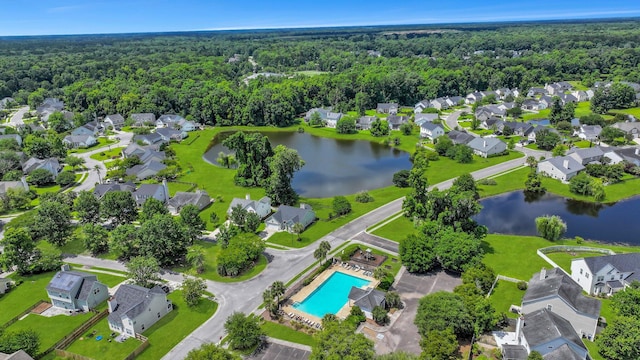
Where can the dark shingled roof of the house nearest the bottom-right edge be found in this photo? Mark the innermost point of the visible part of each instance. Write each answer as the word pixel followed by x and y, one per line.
pixel 543 326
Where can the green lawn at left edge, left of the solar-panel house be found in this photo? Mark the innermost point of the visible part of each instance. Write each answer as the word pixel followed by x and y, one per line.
pixel 24 295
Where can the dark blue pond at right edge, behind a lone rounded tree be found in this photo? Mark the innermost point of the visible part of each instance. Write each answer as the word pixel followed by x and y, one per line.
pixel 513 213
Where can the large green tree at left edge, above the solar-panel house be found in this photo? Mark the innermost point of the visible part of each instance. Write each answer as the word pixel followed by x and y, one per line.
pixel 19 249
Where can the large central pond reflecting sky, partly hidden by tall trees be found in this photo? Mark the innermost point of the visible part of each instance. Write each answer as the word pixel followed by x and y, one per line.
pixel 333 167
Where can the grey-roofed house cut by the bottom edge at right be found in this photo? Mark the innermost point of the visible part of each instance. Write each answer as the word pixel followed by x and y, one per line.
pixel 547 333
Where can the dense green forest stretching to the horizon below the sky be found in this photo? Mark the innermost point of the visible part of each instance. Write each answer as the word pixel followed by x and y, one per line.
pixel 191 74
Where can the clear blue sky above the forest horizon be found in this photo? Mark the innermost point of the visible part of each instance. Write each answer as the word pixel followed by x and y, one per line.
pixel 61 17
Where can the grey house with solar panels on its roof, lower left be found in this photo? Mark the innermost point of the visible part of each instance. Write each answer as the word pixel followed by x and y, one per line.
pixel 75 290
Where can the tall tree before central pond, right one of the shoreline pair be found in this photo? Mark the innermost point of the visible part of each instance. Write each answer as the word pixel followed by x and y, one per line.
pixel 283 165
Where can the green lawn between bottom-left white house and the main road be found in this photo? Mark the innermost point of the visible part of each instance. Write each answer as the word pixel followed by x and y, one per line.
pixel 176 325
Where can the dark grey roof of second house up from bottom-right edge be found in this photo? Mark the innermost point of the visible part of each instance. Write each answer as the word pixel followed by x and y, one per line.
pixel 557 283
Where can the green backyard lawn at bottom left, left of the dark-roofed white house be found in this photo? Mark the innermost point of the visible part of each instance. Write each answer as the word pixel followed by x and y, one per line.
pixel 103 349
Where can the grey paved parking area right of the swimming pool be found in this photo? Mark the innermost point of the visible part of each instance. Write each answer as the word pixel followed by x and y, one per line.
pixel 403 334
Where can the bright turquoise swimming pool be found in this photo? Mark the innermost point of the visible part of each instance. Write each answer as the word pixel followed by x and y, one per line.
pixel 331 295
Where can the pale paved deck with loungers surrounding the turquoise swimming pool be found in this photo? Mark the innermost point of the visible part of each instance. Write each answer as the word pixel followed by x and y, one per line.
pixel 307 290
